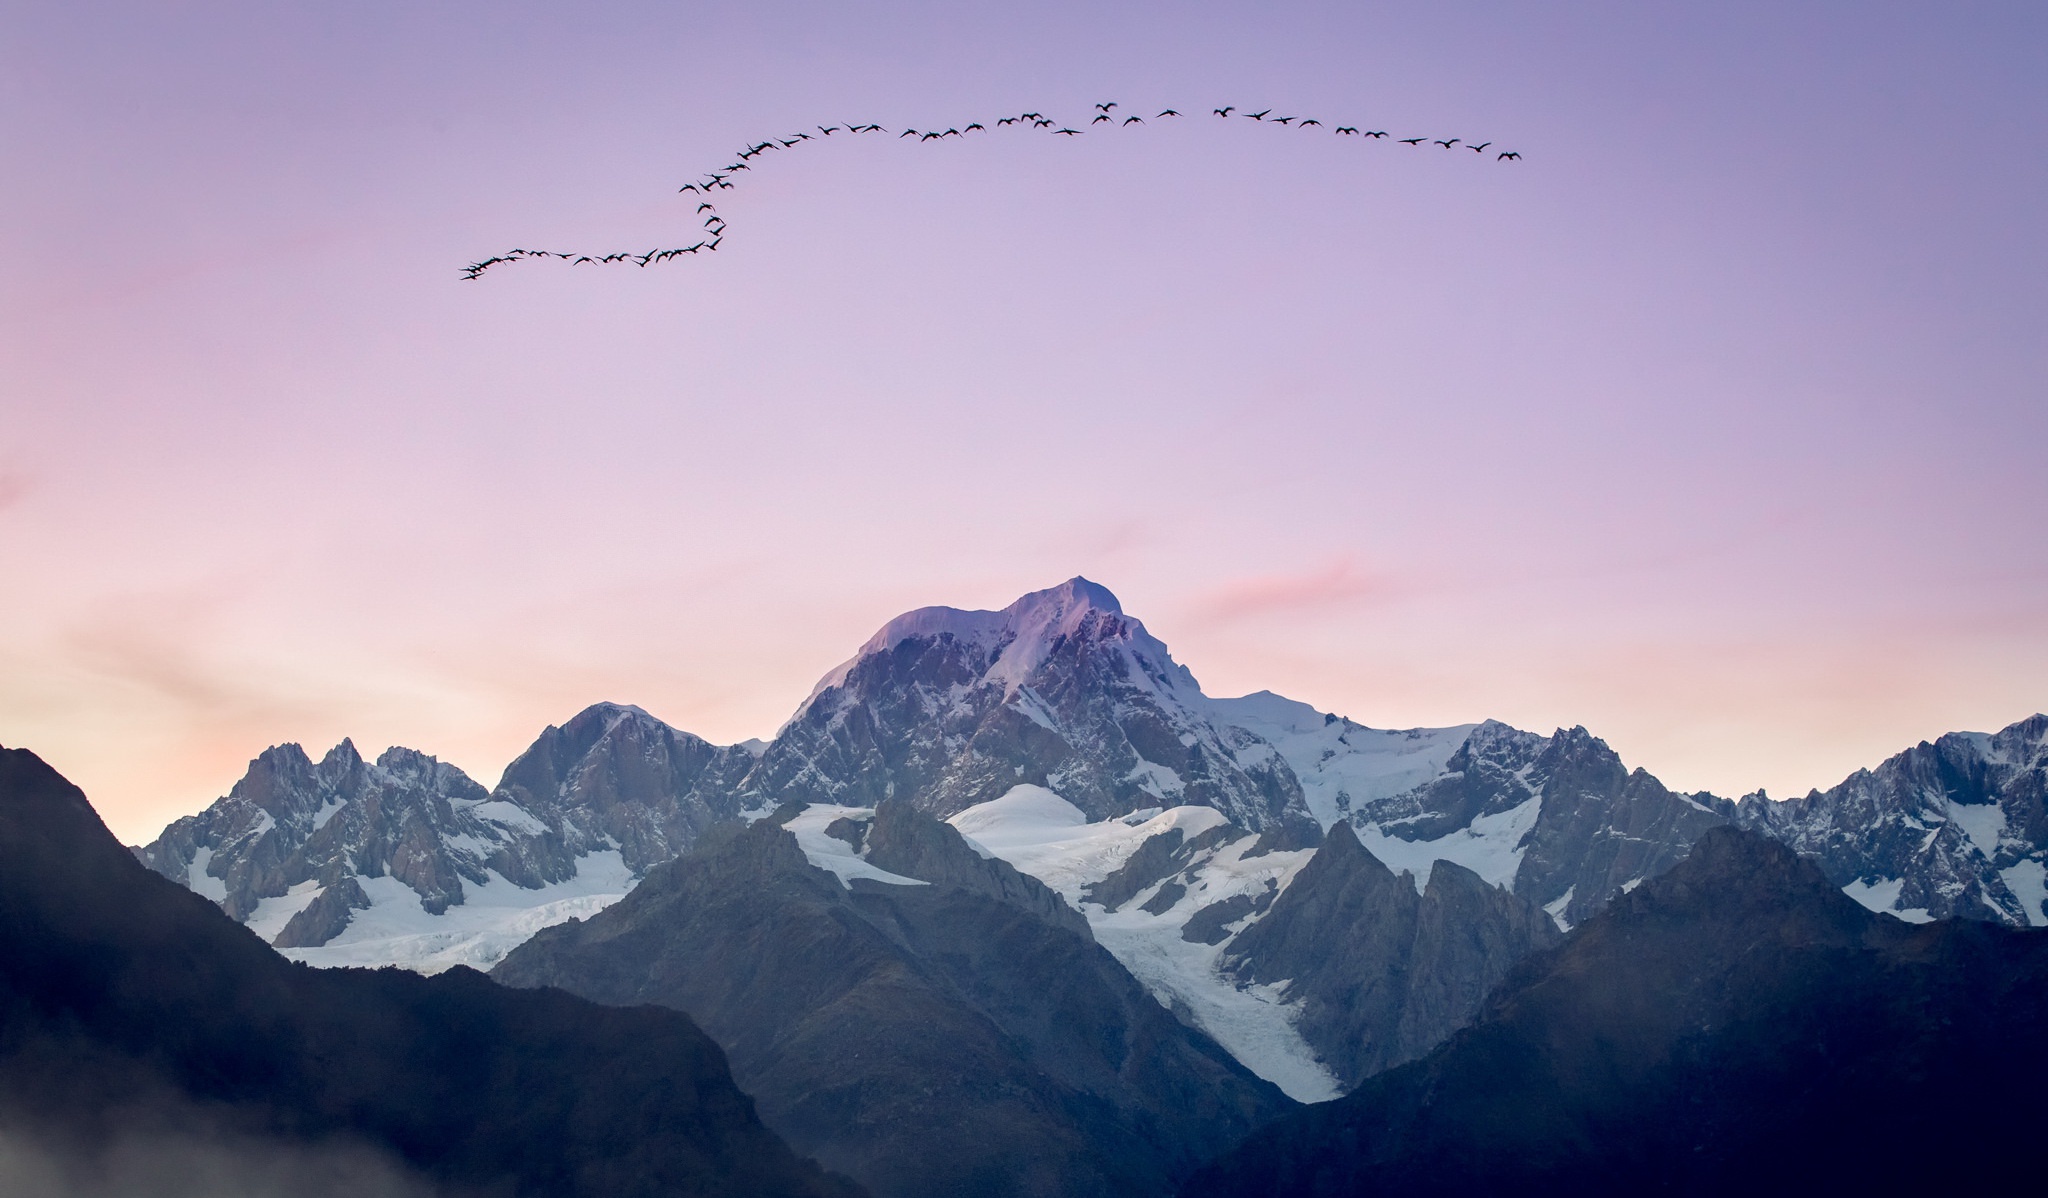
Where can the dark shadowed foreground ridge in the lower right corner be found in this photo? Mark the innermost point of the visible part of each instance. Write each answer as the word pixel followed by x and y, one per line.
pixel 1738 1023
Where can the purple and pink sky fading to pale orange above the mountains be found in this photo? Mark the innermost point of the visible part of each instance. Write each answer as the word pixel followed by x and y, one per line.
pixel 1715 425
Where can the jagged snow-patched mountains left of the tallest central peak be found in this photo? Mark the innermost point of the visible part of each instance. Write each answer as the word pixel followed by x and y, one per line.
pixel 409 861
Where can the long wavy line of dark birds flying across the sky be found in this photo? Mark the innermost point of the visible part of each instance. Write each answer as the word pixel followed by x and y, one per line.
pixel 1107 114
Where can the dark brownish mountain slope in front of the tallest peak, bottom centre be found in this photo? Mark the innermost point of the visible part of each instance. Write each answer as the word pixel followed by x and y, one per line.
pixel 929 1031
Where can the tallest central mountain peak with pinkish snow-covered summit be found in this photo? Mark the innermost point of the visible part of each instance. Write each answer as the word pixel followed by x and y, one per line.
pixel 1062 689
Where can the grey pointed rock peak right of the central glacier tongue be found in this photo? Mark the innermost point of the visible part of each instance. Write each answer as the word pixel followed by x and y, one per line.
pixel 1383 974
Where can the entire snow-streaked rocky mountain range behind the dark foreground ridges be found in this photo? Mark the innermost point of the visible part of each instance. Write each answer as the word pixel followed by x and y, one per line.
pixel 1232 855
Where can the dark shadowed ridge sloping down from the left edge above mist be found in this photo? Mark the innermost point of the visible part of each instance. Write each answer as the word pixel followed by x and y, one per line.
pixel 126 998
